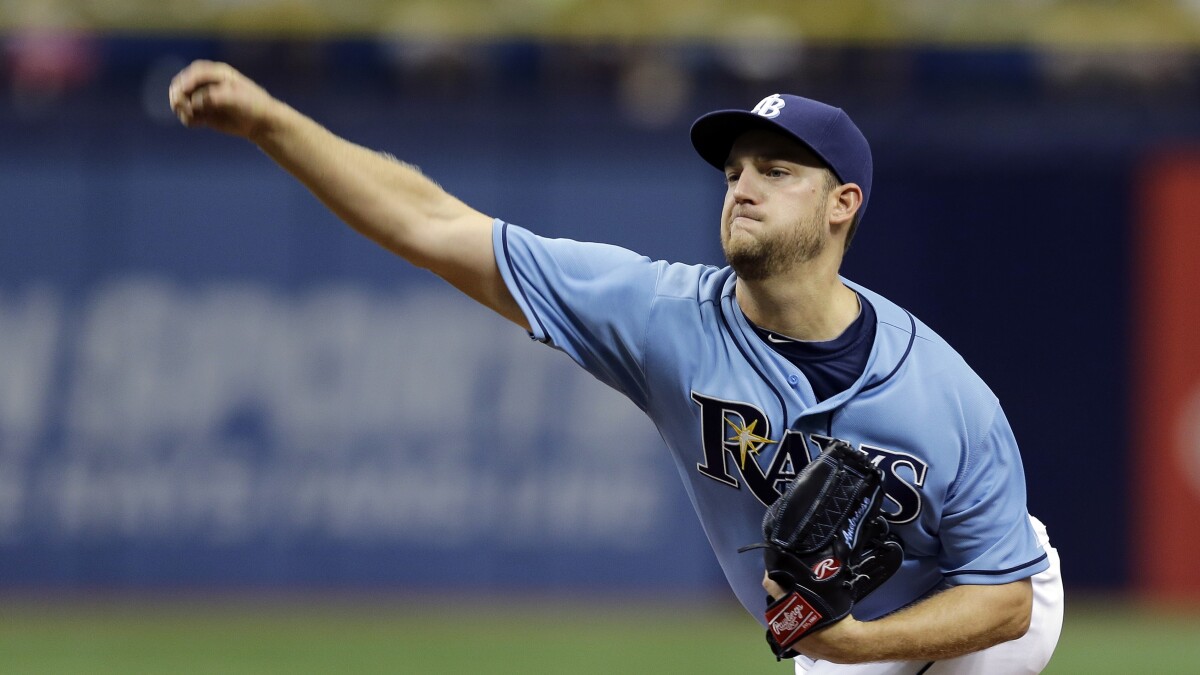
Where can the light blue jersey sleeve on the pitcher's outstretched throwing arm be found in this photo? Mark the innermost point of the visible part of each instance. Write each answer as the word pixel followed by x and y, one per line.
pixel 590 301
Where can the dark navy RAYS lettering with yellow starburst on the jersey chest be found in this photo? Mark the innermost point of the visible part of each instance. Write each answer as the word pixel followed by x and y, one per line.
pixel 735 434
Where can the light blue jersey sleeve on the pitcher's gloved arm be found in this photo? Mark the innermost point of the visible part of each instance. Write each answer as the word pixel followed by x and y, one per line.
pixel 987 535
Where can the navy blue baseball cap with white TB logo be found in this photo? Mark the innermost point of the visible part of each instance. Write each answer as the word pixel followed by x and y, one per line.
pixel 826 130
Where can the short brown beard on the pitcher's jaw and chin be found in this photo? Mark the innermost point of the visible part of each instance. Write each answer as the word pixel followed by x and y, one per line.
pixel 755 259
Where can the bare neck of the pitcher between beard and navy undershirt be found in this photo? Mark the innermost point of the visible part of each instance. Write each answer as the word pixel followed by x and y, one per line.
pixel 809 307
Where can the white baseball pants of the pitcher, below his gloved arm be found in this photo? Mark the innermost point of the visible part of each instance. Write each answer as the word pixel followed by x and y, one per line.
pixel 1025 656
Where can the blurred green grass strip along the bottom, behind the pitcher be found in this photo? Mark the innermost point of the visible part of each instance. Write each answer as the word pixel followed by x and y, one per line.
pixel 315 635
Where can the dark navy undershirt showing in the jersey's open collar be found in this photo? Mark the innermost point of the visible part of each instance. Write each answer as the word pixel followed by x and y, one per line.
pixel 833 366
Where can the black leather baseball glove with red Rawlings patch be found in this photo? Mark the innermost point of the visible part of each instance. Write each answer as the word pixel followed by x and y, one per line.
pixel 827 545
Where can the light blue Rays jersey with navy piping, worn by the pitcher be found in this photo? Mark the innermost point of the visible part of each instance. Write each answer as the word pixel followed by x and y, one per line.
pixel 741 421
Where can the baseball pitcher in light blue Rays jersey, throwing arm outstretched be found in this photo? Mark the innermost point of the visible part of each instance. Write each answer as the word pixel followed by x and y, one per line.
pixel 841 456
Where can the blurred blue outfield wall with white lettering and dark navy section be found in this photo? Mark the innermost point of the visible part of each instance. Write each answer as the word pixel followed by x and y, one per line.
pixel 207 380
